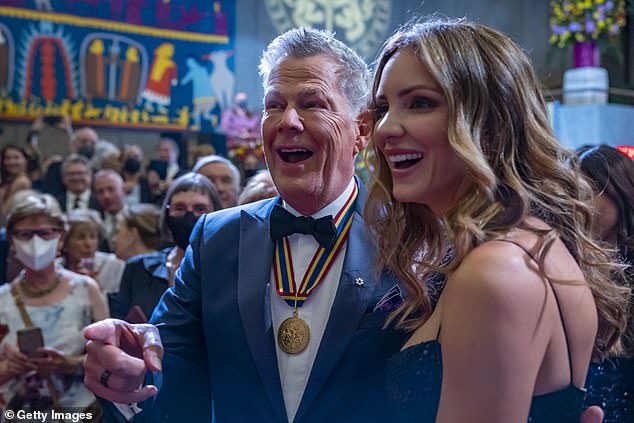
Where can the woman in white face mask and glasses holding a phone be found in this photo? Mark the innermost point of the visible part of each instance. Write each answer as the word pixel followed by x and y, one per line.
pixel 57 301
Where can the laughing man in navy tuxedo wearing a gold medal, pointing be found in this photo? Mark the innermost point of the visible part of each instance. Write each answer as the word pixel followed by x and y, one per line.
pixel 277 326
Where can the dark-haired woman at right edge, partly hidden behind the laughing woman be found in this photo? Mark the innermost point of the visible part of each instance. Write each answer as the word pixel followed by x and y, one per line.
pixel 611 173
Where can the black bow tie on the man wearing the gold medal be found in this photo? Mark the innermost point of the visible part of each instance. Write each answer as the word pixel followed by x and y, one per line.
pixel 284 223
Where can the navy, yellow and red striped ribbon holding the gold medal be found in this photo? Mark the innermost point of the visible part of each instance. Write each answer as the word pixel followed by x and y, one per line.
pixel 320 263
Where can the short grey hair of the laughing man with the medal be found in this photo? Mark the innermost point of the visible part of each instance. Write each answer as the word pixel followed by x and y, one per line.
pixel 307 42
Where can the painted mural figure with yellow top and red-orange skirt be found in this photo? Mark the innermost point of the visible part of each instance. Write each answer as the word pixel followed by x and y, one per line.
pixel 163 74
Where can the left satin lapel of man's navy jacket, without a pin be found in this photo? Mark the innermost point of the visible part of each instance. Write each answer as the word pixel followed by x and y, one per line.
pixel 256 256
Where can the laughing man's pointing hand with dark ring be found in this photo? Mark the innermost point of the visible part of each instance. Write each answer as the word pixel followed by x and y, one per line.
pixel 127 352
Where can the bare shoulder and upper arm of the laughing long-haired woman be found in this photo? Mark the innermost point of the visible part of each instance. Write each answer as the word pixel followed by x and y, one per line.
pixel 493 340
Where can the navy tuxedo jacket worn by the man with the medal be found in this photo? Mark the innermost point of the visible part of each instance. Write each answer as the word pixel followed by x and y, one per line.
pixel 215 324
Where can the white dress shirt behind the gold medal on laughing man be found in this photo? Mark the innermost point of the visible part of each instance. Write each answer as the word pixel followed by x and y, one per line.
pixel 295 368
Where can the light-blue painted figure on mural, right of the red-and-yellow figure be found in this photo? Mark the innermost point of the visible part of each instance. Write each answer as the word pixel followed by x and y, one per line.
pixel 203 96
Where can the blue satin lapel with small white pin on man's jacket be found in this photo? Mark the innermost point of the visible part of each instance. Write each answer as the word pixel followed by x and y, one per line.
pixel 349 307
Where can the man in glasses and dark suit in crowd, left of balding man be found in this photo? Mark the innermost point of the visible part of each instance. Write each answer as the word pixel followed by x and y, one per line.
pixel 77 180
